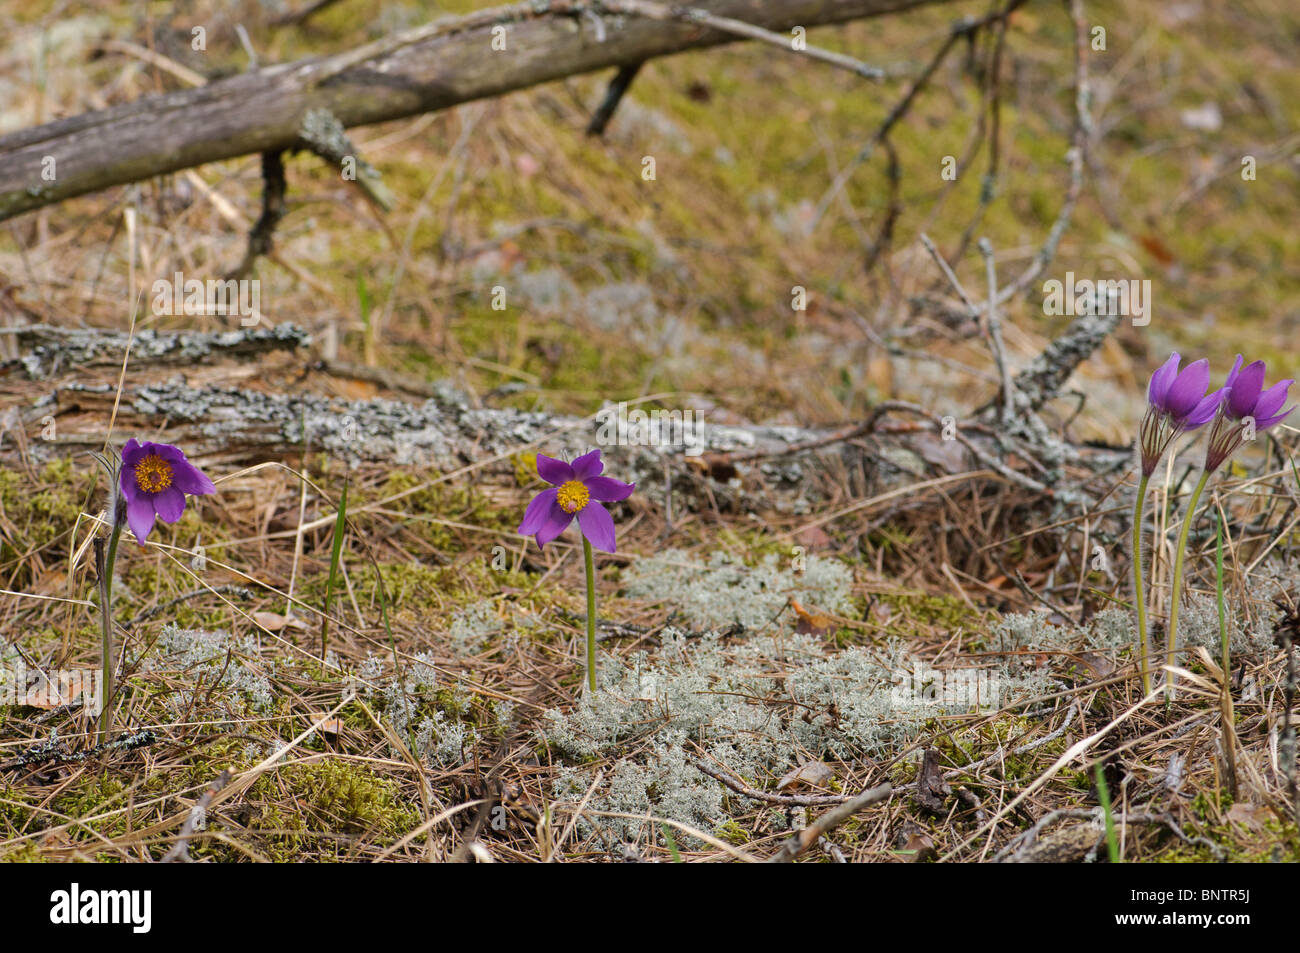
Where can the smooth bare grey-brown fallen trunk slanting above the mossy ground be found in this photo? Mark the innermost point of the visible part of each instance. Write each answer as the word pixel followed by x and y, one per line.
pixel 443 64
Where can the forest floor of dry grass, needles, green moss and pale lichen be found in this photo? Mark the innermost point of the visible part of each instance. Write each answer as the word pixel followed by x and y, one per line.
pixel 969 644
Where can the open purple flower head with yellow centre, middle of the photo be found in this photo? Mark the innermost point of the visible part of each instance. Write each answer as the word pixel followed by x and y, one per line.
pixel 578 490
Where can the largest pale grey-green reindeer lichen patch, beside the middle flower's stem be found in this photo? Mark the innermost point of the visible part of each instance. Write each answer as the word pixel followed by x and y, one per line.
pixel 757 701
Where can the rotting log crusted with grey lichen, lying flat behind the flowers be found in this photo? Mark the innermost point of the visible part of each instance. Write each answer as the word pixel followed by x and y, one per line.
pixel 748 466
